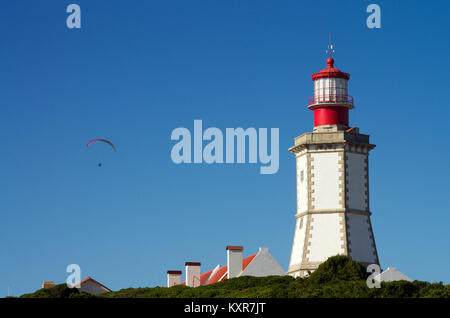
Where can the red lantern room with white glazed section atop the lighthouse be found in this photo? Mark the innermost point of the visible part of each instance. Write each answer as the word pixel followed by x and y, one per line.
pixel 330 102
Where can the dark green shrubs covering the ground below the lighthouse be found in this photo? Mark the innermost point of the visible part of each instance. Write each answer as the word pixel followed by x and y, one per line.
pixel 339 276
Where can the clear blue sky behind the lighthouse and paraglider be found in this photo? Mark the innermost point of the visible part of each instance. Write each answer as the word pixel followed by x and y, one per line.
pixel 137 70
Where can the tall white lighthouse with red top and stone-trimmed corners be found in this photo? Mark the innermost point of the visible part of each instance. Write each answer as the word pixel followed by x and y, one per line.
pixel 332 163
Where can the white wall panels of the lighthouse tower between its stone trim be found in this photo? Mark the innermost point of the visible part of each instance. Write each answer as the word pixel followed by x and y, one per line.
pixel 327 232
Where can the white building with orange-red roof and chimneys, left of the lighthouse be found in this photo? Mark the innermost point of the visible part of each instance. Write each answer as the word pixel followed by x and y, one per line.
pixel 259 264
